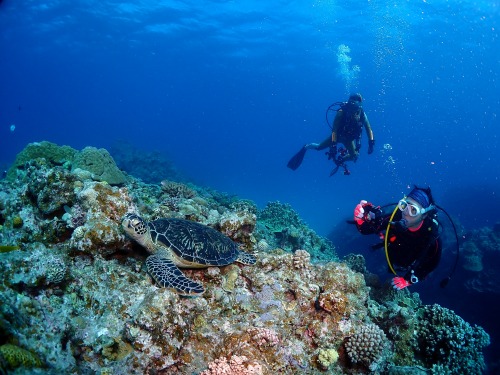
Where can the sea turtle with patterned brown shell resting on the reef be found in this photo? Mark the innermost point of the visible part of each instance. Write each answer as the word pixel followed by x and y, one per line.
pixel 182 243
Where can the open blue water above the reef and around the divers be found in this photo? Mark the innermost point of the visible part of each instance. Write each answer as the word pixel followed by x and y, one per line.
pixel 230 90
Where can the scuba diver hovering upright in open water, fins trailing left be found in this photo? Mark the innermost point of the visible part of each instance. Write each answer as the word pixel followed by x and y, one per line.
pixel 350 118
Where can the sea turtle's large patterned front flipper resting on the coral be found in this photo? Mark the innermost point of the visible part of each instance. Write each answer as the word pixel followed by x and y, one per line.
pixel 167 275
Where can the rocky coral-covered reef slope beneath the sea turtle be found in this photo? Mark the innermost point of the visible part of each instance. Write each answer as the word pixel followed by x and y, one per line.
pixel 75 297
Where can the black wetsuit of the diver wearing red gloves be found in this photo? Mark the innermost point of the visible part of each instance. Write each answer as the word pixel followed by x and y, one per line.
pixel 418 251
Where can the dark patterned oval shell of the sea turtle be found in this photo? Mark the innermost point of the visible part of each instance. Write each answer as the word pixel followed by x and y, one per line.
pixel 194 242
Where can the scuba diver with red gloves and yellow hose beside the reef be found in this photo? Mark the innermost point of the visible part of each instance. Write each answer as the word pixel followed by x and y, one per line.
pixel 411 235
